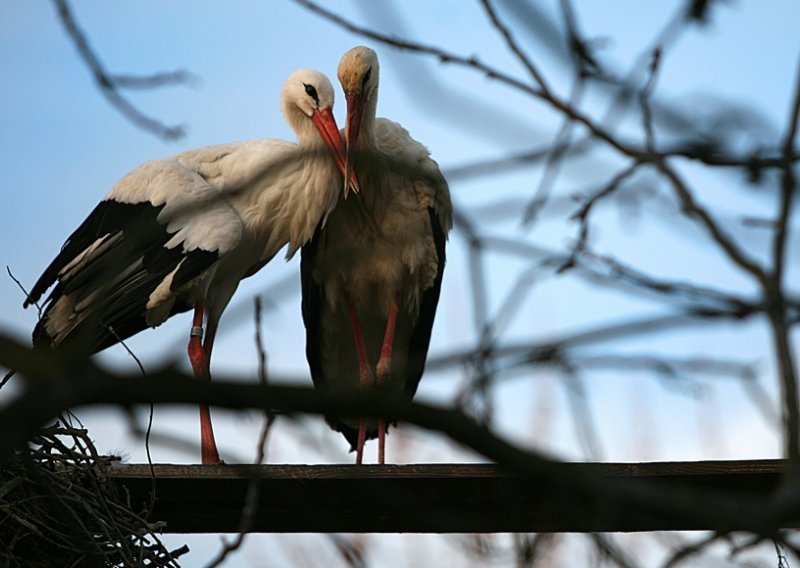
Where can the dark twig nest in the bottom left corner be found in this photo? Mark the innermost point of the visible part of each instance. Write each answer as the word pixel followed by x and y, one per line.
pixel 58 508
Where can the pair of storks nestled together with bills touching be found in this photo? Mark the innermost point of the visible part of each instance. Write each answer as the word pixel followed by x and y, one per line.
pixel 180 233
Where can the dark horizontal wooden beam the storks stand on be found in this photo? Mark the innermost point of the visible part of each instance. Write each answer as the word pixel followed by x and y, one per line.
pixel 440 498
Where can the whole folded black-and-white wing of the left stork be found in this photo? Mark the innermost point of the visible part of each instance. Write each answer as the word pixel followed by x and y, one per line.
pixel 158 232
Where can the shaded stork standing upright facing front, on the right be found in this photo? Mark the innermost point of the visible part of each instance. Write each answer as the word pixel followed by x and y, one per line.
pixel 371 275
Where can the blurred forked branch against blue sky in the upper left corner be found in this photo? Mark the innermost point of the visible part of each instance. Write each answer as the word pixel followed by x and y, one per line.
pixel 109 84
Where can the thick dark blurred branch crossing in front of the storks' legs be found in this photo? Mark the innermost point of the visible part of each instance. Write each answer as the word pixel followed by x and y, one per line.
pixel 71 384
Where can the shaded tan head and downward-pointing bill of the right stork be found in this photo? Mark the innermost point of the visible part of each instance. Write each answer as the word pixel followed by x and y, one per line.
pixel 358 73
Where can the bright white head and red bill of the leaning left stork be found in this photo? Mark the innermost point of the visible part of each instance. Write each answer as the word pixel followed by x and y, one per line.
pixel 308 94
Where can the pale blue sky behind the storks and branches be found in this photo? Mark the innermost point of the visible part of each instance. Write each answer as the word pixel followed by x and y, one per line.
pixel 63 147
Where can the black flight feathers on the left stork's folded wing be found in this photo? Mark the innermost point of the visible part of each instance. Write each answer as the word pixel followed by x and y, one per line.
pixel 119 281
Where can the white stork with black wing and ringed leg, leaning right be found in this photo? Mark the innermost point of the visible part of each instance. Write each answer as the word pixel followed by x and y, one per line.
pixel 180 233
